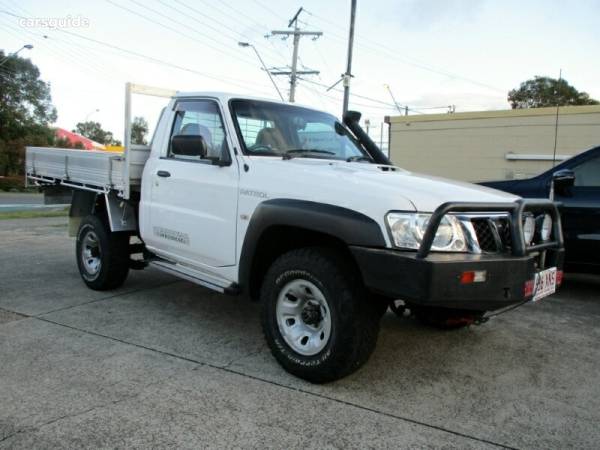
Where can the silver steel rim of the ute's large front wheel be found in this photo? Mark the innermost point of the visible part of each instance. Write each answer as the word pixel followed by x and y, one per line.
pixel 303 317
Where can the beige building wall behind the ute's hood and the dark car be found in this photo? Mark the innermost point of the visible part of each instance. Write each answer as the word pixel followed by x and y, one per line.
pixel 491 145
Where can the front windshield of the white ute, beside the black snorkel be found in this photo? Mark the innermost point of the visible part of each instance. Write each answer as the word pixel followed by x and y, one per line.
pixel 274 129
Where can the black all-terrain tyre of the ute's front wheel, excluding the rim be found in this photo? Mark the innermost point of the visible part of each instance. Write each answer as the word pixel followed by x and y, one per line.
pixel 354 319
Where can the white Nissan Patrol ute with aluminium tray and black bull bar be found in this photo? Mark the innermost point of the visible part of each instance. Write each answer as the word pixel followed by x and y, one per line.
pixel 292 207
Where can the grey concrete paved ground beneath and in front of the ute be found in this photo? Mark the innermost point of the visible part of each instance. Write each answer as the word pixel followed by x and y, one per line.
pixel 164 363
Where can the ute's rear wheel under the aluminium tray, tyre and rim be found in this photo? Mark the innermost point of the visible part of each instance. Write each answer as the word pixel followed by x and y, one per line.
pixel 102 256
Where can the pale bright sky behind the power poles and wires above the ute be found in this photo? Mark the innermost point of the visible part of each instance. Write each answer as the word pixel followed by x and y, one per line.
pixel 431 53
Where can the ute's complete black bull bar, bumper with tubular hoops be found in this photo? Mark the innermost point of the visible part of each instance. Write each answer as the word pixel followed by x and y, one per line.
pixel 435 279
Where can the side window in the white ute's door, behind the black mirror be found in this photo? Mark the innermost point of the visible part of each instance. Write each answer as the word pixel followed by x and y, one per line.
pixel 198 118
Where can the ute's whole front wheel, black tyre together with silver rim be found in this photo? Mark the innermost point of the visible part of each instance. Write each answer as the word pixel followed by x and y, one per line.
pixel 316 316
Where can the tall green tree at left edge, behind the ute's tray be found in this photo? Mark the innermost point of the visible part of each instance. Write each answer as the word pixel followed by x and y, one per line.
pixel 26 112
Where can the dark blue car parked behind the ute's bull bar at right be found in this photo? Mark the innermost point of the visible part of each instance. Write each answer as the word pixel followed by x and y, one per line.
pixel 576 184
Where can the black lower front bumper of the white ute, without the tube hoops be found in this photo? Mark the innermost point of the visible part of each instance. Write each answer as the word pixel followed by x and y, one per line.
pixel 436 280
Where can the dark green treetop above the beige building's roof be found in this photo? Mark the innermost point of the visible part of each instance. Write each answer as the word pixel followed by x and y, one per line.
pixel 542 92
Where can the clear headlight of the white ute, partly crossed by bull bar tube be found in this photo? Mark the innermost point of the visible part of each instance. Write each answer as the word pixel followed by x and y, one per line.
pixel 407 231
